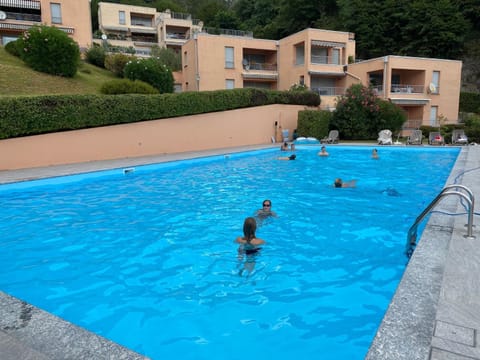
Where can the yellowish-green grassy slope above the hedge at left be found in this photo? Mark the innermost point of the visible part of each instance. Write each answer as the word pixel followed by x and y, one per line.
pixel 18 79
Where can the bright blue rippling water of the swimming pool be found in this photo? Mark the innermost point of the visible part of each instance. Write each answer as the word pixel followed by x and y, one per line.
pixel 147 258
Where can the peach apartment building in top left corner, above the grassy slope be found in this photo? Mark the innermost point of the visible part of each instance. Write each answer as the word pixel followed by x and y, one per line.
pixel 73 17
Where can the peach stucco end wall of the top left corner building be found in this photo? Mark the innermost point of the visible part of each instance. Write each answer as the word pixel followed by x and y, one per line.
pixel 76 15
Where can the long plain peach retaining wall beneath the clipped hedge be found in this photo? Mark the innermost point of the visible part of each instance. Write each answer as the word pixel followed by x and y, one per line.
pixel 242 127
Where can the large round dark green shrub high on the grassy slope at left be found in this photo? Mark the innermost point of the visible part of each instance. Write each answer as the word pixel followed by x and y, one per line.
pixel 49 50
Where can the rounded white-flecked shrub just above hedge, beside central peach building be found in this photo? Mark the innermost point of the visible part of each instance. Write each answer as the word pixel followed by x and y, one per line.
pixel 151 71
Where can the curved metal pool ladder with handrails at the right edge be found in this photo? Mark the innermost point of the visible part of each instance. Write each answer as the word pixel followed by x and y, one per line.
pixel 468 197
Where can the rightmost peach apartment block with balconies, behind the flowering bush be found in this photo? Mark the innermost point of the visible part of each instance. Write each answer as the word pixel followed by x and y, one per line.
pixel 428 90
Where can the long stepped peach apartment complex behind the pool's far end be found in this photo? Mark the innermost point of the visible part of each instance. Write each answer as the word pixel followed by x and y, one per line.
pixel 324 61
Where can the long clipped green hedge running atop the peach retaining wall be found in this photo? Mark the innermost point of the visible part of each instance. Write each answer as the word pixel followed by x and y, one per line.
pixel 22 116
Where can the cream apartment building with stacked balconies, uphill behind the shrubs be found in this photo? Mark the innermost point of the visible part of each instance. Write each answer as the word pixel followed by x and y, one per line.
pixel 140 28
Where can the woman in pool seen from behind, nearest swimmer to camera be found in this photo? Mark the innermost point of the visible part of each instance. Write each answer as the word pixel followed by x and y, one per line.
pixel 249 245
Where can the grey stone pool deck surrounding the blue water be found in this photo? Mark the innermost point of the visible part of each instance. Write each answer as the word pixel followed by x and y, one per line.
pixel 434 314
